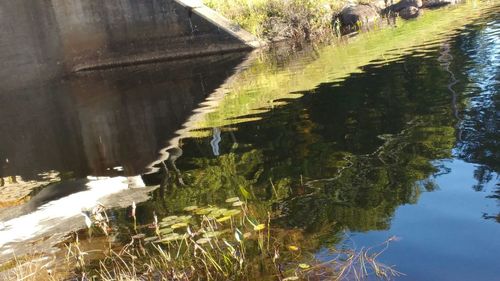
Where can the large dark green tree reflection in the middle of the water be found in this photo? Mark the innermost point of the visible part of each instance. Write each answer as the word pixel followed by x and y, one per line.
pixel 339 157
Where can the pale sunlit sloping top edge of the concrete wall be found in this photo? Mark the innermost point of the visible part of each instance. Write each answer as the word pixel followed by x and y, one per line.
pixel 223 23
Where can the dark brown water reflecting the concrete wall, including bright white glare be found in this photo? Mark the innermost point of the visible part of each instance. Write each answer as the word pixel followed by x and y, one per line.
pixel 110 125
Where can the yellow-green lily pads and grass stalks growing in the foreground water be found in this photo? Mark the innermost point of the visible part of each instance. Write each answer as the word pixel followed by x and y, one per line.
pixel 220 243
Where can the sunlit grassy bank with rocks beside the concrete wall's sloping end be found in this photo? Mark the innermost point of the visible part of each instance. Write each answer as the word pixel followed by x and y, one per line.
pixel 315 20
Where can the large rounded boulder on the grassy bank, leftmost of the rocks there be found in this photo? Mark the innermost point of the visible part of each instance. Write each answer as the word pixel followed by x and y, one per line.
pixel 362 14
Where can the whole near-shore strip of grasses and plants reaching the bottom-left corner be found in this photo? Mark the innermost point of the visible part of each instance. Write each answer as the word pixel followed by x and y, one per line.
pixel 233 242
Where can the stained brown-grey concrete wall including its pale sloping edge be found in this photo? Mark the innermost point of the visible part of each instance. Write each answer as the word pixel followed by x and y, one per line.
pixel 43 37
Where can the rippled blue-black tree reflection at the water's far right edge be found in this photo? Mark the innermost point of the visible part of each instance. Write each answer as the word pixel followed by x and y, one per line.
pixel 481 131
